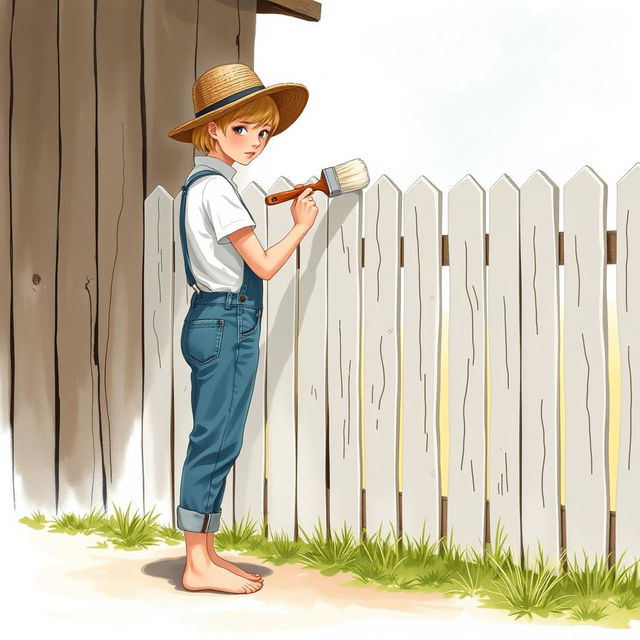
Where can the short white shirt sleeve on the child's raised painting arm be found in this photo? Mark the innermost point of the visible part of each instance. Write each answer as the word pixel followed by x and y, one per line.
pixel 224 208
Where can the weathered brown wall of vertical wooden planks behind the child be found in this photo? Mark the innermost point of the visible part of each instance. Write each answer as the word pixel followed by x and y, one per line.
pixel 89 92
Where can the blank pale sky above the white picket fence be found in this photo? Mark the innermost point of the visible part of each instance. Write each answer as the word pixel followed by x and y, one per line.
pixel 450 87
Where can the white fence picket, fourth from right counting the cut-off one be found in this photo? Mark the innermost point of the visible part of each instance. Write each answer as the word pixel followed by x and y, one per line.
pixel 503 326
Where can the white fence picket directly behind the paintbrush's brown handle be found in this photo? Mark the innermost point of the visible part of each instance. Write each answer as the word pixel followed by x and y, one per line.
pixel 281 385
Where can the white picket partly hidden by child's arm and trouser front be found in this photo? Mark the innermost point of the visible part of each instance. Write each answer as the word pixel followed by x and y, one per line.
pixel 249 467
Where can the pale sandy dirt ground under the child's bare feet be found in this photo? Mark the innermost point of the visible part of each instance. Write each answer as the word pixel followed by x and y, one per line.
pixel 60 582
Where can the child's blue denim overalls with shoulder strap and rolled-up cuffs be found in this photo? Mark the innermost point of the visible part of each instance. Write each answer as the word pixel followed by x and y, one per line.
pixel 220 342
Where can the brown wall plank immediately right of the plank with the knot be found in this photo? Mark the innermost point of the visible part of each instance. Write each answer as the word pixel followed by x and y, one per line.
pixel 81 462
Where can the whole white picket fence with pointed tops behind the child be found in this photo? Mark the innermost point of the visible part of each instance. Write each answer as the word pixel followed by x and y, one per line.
pixel 327 397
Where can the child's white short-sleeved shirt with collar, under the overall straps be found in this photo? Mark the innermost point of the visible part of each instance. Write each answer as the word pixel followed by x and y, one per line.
pixel 214 210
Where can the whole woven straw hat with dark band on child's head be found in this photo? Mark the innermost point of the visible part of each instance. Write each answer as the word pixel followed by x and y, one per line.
pixel 228 86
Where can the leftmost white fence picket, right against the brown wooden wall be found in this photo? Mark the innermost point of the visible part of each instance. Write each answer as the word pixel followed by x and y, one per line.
pixel 158 353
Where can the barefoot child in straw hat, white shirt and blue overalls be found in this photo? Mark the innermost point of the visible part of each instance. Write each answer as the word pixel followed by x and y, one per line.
pixel 235 116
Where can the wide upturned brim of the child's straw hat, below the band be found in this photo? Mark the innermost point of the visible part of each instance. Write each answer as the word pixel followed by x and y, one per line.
pixel 289 97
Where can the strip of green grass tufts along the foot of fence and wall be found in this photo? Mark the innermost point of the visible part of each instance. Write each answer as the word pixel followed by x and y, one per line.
pixel 588 592
